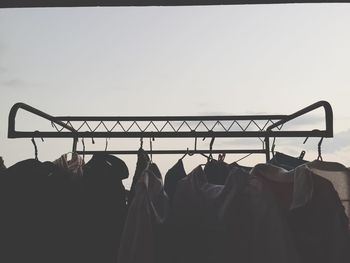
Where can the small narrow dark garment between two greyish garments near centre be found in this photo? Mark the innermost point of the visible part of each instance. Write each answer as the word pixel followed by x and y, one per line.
pixel 174 174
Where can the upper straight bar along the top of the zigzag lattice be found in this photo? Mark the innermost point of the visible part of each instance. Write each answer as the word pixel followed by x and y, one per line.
pixel 171 118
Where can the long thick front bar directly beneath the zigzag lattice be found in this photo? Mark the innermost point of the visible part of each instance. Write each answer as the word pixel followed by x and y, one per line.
pixel 192 134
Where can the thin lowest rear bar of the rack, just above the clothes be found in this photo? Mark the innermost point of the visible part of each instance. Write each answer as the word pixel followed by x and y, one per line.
pixel 243 151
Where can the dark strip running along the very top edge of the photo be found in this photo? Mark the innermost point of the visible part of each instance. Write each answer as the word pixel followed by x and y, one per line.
pixel 82 3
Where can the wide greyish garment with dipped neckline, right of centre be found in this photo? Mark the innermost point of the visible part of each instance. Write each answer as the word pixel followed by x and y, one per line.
pixel 235 222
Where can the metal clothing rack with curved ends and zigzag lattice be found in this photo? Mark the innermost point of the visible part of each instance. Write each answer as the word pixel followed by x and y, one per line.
pixel 263 127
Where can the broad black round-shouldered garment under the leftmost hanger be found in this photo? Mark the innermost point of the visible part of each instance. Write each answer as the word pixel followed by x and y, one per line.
pixel 35 222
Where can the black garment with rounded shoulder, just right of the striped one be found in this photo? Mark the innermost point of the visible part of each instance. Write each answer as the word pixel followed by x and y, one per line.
pixel 104 207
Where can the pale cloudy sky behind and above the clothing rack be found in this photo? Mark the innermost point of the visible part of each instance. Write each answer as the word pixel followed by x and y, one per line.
pixel 231 60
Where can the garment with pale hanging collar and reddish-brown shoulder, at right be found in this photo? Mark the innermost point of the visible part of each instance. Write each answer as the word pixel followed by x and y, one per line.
pixel 314 212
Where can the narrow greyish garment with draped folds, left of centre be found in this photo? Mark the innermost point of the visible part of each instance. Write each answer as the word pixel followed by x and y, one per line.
pixel 143 238
